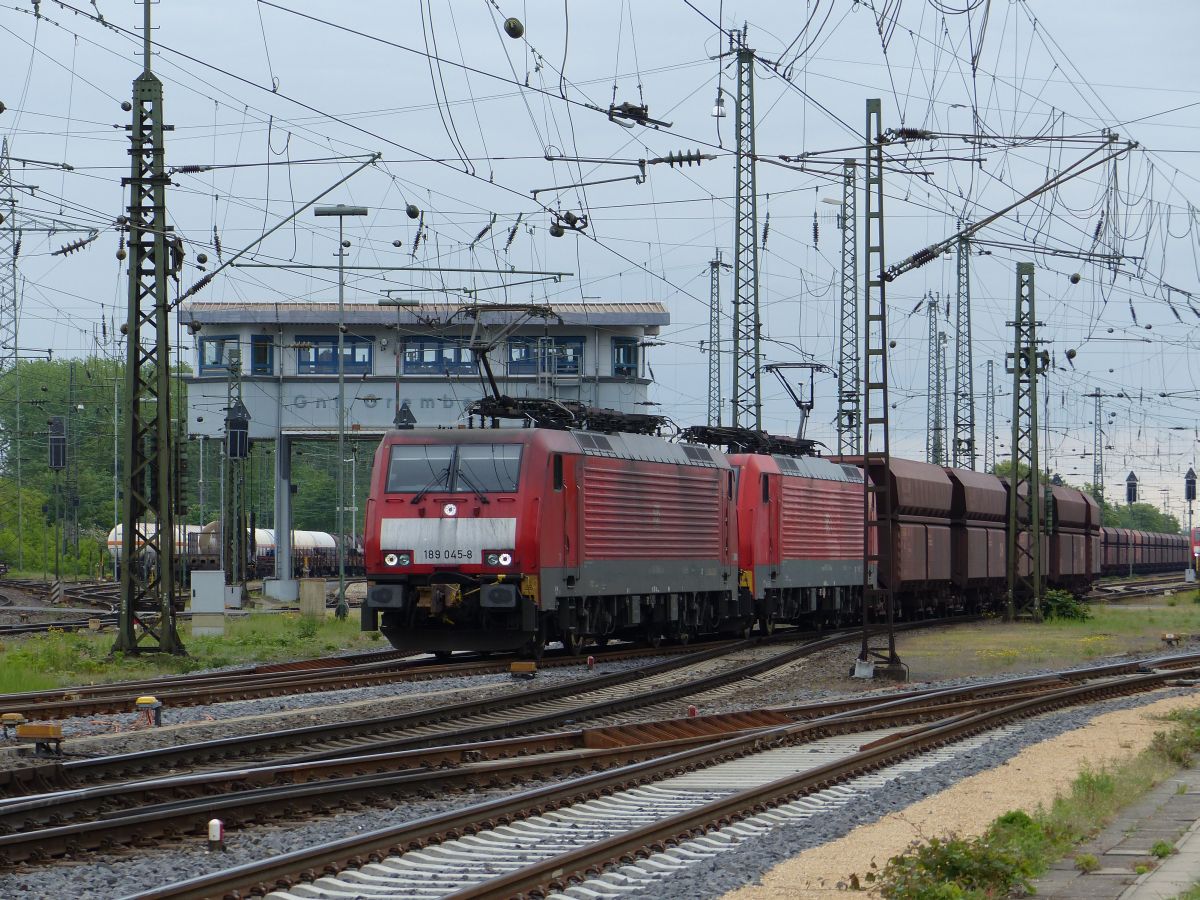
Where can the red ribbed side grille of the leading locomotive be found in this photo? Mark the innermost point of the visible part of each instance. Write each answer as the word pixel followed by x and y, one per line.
pixel 632 514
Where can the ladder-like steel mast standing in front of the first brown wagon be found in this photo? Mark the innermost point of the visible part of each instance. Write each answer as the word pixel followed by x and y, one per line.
pixel 878 599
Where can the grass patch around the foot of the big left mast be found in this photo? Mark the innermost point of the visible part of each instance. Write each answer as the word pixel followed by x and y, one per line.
pixel 59 659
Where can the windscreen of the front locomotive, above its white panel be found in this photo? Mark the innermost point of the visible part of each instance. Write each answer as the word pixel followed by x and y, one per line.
pixel 465 469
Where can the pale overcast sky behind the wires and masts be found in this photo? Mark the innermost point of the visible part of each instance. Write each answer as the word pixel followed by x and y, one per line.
pixel 250 83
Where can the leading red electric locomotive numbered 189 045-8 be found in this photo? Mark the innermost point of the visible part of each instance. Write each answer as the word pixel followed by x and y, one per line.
pixel 508 538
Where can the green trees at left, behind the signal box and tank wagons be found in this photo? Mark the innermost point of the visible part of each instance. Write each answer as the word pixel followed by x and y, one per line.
pixel 73 511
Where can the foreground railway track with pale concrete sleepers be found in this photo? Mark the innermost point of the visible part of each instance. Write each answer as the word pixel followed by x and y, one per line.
pixel 700 797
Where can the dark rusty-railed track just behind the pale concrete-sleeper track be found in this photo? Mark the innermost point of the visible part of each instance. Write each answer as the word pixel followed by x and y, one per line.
pixel 75 821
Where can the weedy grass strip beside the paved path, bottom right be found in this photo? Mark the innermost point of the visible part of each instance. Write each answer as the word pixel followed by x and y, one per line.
pixel 1018 847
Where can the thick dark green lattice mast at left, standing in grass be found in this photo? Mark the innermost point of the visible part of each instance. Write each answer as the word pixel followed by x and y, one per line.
pixel 148 545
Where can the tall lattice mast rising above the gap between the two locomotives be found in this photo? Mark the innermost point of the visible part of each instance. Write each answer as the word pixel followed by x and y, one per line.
pixel 747 326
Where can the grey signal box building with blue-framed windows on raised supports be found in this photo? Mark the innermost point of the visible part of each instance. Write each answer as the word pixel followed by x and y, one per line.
pixel 404 365
